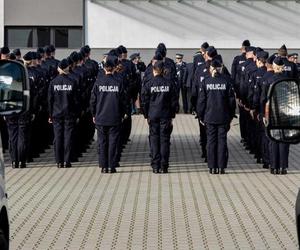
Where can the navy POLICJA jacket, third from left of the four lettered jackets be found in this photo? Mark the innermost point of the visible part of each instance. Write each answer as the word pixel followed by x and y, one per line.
pixel 159 99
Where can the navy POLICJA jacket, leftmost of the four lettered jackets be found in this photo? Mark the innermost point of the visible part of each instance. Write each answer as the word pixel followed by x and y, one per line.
pixel 63 97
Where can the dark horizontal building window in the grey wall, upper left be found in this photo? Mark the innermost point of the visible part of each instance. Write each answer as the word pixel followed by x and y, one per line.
pixel 33 37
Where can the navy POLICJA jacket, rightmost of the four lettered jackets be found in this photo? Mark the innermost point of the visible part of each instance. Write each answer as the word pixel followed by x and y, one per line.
pixel 216 100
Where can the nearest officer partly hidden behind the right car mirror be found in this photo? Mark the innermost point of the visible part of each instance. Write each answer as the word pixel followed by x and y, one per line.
pixel 279 152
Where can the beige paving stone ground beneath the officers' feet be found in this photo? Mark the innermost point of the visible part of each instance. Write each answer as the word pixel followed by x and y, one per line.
pixel 80 208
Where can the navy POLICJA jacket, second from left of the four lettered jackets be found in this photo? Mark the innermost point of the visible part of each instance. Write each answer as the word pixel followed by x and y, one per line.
pixel 108 101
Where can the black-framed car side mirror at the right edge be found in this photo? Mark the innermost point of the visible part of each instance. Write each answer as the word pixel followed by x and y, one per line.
pixel 283 111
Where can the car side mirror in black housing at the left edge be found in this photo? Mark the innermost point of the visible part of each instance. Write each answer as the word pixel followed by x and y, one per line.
pixel 14 88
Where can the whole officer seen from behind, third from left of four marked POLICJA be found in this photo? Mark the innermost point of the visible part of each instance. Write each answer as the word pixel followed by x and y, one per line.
pixel 159 101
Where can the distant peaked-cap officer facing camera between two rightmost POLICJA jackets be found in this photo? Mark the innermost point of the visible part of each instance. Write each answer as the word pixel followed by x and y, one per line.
pixel 182 78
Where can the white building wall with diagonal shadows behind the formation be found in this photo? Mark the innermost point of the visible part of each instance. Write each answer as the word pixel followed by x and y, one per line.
pixel 186 24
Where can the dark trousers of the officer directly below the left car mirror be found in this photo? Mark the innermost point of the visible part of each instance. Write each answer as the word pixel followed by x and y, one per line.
pixel 19 133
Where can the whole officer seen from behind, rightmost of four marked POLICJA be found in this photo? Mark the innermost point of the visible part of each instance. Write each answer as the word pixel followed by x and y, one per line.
pixel 216 109
